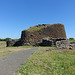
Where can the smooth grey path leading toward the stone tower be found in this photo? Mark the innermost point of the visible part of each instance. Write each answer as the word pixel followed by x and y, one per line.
pixel 11 63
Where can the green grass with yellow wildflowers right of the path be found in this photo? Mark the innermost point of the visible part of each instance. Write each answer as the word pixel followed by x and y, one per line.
pixel 52 62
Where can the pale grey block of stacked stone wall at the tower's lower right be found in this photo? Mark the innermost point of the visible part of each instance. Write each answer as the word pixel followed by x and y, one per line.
pixel 63 44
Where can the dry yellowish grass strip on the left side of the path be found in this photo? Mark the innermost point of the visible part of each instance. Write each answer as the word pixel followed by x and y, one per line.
pixel 6 50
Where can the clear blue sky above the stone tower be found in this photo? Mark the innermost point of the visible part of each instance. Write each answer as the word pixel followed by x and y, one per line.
pixel 17 15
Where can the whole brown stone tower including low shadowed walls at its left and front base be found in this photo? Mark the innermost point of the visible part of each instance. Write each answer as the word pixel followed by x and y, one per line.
pixel 36 35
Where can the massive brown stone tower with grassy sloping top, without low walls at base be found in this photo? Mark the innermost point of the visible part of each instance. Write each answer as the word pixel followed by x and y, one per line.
pixel 32 36
